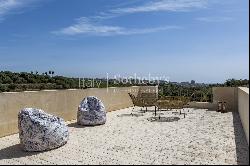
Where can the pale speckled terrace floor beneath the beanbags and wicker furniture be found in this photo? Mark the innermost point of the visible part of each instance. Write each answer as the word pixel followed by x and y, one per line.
pixel 203 137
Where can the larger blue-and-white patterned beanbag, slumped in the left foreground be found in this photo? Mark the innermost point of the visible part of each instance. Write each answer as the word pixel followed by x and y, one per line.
pixel 39 131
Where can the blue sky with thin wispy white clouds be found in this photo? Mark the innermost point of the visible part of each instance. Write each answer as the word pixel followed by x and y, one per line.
pixel 182 40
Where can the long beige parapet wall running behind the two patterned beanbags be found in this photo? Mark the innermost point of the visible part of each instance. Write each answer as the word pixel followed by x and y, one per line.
pixel 63 103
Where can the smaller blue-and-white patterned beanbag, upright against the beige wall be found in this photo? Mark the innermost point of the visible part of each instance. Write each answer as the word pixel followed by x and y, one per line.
pixel 91 112
